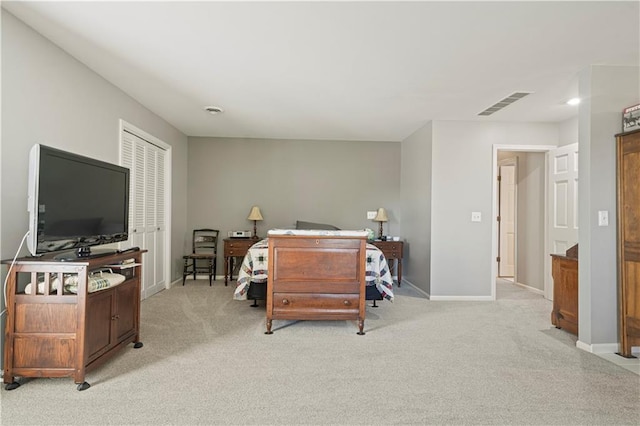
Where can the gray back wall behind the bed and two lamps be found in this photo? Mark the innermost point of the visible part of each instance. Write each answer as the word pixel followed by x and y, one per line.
pixel 332 182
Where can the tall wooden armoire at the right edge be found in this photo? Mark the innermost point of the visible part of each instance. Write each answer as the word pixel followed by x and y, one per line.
pixel 628 177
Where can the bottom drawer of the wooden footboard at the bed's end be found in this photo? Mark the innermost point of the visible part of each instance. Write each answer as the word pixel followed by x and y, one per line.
pixel 301 305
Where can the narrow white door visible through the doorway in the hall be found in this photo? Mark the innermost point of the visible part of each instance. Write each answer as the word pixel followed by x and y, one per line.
pixel 507 218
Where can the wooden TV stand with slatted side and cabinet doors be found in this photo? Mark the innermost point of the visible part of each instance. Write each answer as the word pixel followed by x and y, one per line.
pixel 55 333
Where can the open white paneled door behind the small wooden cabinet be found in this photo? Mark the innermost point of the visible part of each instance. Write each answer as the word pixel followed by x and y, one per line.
pixel 562 203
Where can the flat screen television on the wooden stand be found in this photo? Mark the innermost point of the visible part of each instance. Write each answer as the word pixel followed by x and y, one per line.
pixel 75 203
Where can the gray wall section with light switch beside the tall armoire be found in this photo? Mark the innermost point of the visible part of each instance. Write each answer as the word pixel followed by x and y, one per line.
pixel 606 91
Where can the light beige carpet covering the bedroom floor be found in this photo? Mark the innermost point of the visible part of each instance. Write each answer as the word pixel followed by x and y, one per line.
pixel 206 360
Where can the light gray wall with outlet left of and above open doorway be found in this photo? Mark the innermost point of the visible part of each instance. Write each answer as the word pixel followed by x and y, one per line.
pixel 461 258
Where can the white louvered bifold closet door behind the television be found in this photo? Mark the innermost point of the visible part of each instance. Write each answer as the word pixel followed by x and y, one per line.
pixel 147 225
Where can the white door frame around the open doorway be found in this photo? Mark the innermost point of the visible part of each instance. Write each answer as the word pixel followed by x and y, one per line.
pixel 494 207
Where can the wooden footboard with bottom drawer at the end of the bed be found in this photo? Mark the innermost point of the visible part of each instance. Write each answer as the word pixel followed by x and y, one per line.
pixel 317 277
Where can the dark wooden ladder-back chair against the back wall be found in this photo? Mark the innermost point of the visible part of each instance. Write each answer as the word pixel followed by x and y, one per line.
pixel 204 250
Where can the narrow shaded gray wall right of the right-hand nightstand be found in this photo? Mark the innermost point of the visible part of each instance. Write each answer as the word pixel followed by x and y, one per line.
pixel 416 207
